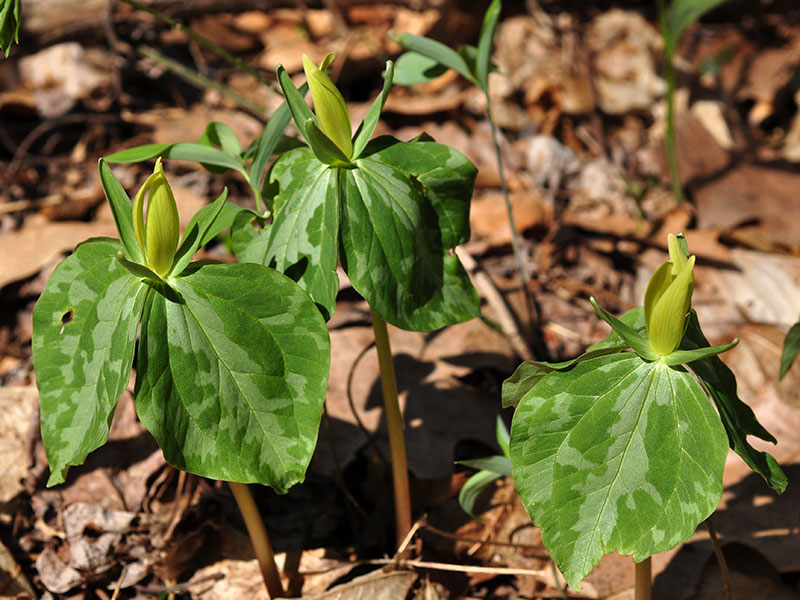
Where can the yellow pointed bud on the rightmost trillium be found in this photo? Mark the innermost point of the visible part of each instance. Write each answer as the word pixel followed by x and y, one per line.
pixel 668 298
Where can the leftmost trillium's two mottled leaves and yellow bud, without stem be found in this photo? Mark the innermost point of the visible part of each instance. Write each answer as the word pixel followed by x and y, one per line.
pixel 232 362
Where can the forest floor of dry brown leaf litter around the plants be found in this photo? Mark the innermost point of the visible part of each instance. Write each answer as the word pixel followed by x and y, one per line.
pixel 579 98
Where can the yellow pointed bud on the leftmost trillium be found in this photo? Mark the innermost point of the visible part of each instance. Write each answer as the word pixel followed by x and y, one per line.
pixel 158 231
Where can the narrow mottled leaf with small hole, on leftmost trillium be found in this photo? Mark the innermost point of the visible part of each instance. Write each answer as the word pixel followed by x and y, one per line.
pixel 84 337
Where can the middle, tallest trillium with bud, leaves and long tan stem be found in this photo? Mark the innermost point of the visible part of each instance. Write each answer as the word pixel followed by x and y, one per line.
pixel 389 212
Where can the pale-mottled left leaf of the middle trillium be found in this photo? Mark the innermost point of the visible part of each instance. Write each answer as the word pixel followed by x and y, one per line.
pixel 302 241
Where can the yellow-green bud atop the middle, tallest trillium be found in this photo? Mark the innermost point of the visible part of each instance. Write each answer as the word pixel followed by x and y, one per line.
pixel 333 118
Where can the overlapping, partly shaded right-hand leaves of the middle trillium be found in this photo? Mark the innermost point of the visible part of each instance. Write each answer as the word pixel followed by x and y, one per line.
pixel 404 207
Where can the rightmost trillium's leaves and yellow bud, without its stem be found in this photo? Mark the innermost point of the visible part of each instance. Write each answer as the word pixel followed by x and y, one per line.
pixel 621 448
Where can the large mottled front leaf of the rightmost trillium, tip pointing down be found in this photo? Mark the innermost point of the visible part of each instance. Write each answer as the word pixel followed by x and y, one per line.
pixel 616 454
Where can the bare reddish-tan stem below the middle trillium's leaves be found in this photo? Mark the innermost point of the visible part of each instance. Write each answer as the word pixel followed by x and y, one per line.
pixel 394 423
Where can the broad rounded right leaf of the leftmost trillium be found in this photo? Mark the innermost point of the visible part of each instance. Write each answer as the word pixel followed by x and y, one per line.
pixel 232 377
